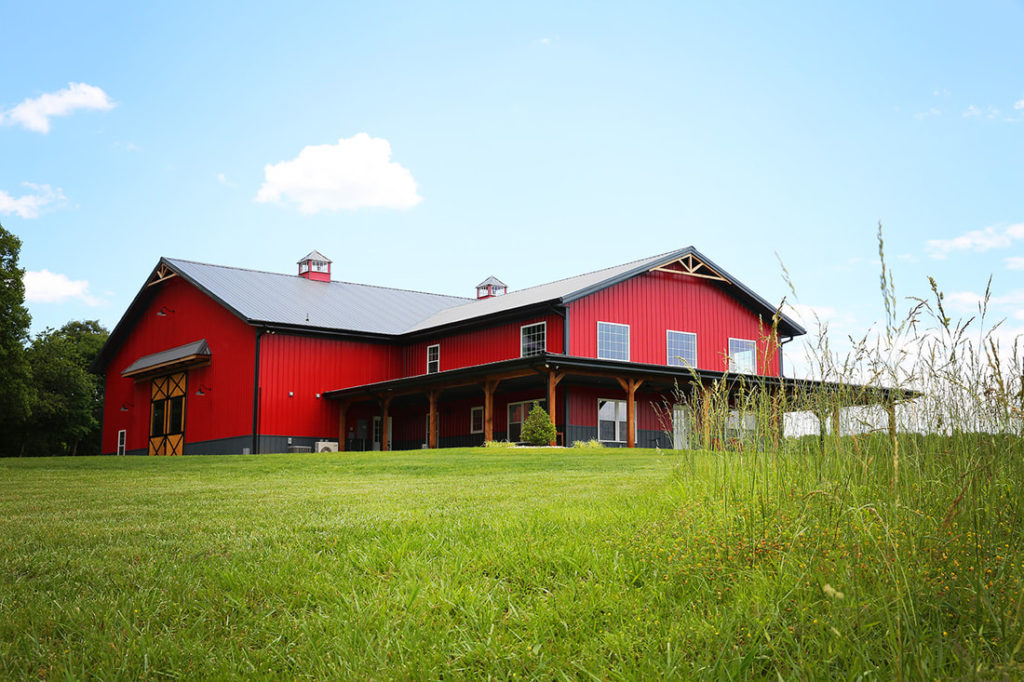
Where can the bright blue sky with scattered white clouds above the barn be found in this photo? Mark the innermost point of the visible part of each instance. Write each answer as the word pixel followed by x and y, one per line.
pixel 429 146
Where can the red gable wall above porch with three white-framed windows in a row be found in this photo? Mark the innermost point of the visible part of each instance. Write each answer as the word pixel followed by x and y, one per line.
pixel 655 303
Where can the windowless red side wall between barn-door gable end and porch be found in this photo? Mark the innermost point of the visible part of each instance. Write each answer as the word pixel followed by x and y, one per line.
pixel 307 366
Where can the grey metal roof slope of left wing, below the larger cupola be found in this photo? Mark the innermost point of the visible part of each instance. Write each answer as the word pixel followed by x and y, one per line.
pixel 297 303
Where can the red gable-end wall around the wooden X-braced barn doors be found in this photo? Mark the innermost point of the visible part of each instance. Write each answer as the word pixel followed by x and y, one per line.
pixel 190 316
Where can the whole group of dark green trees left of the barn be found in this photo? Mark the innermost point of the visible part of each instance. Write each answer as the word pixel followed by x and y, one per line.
pixel 51 403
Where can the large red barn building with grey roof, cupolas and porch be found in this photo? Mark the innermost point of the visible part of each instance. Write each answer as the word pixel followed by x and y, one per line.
pixel 216 360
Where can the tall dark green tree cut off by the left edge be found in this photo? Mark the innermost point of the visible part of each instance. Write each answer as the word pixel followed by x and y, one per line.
pixel 16 379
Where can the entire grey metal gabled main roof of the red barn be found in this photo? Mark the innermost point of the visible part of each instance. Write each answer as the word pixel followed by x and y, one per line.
pixel 274 300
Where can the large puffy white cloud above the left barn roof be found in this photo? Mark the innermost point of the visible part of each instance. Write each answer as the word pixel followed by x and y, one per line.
pixel 357 173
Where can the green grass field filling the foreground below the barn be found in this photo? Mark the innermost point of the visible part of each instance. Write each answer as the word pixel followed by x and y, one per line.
pixel 470 564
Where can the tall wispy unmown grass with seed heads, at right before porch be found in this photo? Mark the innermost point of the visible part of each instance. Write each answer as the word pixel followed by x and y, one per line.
pixel 903 515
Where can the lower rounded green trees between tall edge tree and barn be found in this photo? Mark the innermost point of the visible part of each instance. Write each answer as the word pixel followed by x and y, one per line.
pixel 68 409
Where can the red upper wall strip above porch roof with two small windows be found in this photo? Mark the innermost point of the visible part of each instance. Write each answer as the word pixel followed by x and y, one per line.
pixel 480 347
